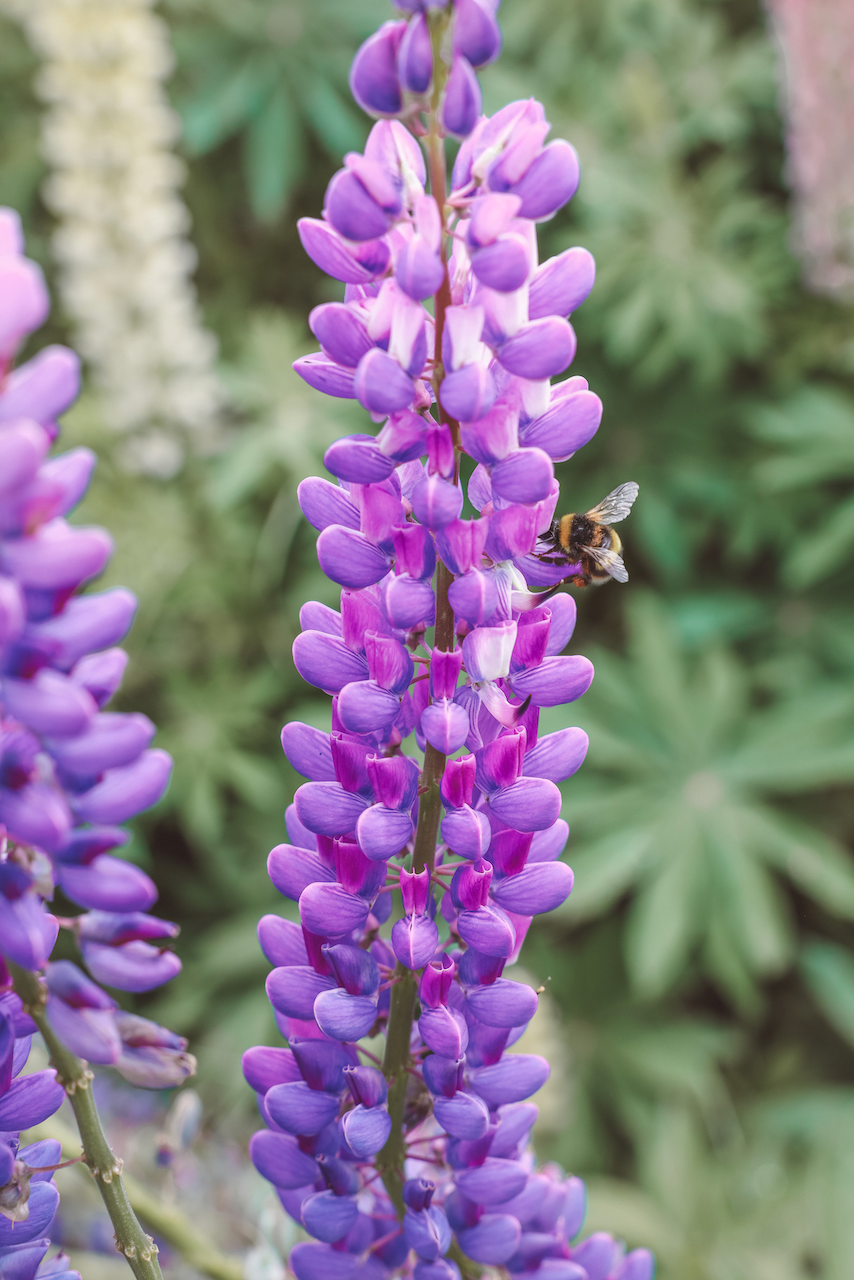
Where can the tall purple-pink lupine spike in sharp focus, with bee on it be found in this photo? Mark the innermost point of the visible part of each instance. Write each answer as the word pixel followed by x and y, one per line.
pixel 432 733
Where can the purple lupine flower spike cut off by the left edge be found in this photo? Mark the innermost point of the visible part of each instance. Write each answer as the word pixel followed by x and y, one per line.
pixel 70 775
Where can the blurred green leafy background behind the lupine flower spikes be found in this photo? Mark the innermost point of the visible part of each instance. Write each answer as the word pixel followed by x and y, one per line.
pixel 704 967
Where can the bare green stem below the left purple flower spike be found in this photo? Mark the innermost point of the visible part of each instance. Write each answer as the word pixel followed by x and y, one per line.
pixel 74 1075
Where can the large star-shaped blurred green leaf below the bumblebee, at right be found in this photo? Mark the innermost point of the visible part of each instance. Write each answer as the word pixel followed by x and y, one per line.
pixel 672 808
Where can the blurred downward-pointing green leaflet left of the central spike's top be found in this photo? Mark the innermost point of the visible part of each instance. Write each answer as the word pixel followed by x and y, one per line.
pixel 276 156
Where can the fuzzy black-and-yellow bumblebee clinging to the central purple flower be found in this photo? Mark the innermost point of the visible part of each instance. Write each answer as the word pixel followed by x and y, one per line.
pixel 588 541
